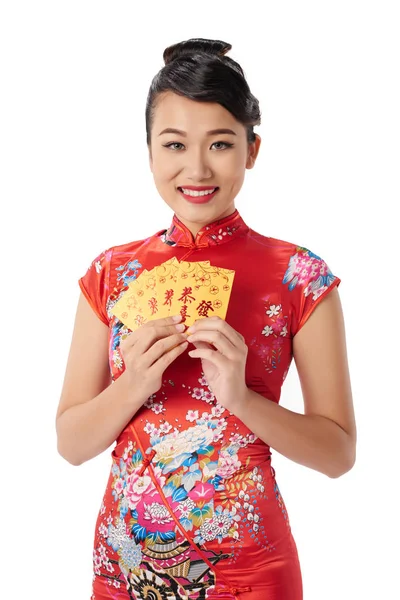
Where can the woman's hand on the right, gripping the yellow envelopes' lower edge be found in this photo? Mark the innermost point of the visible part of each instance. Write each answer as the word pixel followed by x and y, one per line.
pixel 224 365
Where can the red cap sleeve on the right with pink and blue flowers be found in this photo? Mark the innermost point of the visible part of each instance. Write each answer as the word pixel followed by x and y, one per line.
pixel 308 279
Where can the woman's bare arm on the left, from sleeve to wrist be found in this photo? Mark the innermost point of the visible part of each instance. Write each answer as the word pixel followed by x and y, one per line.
pixel 92 411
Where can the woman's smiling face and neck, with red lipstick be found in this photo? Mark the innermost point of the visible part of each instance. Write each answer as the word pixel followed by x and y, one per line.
pixel 198 145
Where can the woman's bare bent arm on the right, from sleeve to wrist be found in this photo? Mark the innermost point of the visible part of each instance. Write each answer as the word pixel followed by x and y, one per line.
pixel 324 437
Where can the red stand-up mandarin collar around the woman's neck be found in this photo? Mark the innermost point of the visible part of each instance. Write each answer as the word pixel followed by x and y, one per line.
pixel 214 234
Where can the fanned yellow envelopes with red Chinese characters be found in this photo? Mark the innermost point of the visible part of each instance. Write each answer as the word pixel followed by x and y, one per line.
pixel 193 289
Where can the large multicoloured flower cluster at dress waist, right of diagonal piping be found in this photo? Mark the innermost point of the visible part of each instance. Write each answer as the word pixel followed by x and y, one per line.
pixel 206 483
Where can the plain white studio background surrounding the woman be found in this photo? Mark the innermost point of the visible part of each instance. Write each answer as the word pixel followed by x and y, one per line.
pixel 74 181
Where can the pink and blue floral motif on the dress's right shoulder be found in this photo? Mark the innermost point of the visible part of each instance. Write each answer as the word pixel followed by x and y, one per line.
pixel 305 267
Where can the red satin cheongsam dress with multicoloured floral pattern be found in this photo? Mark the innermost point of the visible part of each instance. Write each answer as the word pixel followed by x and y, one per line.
pixel 192 509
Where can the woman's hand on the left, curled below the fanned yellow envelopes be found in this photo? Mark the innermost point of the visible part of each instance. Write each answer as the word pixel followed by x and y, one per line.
pixel 149 350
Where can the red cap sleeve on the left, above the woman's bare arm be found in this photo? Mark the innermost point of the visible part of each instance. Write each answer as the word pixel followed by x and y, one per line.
pixel 95 284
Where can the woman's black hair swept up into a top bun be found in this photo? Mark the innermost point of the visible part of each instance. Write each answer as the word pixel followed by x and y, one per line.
pixel 198 69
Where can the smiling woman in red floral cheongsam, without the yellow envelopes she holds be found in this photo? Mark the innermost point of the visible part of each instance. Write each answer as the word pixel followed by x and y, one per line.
pixel 192 508
